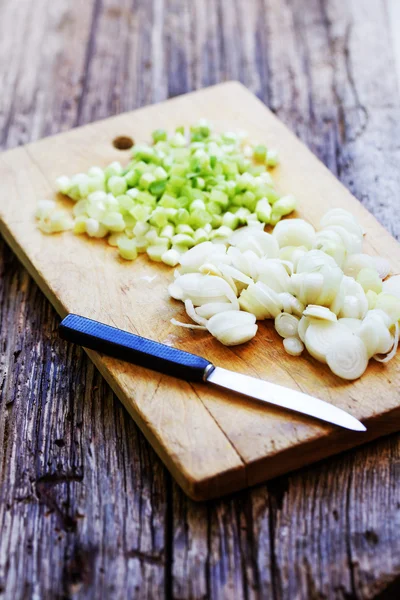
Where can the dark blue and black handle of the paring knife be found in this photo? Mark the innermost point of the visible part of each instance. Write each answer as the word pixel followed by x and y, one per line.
pixel 133 348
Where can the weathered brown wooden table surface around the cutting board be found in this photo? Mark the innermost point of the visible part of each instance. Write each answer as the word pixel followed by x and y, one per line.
pixel 87 510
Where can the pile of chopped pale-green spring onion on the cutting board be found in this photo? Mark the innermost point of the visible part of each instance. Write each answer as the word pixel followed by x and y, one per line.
pixel 173 195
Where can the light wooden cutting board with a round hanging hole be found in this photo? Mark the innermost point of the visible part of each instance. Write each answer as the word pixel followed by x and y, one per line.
pixel 212 442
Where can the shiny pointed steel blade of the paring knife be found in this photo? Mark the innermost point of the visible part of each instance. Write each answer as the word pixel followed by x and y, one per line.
pixel 283 397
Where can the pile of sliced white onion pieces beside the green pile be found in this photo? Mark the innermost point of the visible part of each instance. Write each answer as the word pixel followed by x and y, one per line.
pixel 323 293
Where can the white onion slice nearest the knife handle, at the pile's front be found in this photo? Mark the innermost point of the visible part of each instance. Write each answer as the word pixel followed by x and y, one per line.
pixel 233 327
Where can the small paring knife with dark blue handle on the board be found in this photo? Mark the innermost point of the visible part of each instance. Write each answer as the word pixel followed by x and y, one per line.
pixel 177 363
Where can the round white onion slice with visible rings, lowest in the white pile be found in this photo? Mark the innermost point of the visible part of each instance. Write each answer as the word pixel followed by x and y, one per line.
pixel 347 357
